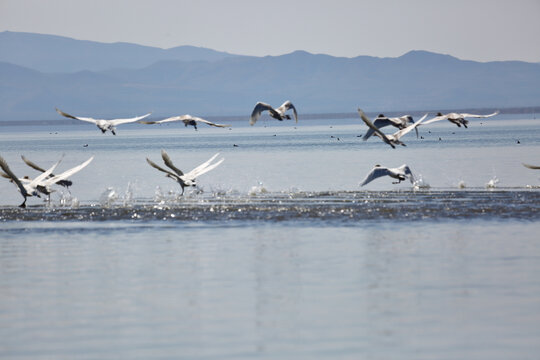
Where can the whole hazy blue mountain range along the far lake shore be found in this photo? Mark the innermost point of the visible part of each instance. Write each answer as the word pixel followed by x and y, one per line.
pixel 41 72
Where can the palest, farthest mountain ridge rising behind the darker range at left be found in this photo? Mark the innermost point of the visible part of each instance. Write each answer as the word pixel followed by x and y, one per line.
pixel 51 53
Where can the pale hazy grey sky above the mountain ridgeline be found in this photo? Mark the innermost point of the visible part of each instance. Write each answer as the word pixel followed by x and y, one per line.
pixel 482 30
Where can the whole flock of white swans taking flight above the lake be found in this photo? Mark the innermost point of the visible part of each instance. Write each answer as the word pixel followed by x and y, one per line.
pixel 42 184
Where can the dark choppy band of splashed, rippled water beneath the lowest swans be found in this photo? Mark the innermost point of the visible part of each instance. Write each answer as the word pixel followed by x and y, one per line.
pixel 309 206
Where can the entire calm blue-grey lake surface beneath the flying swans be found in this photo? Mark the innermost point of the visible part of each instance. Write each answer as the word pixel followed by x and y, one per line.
pixel 279 253
